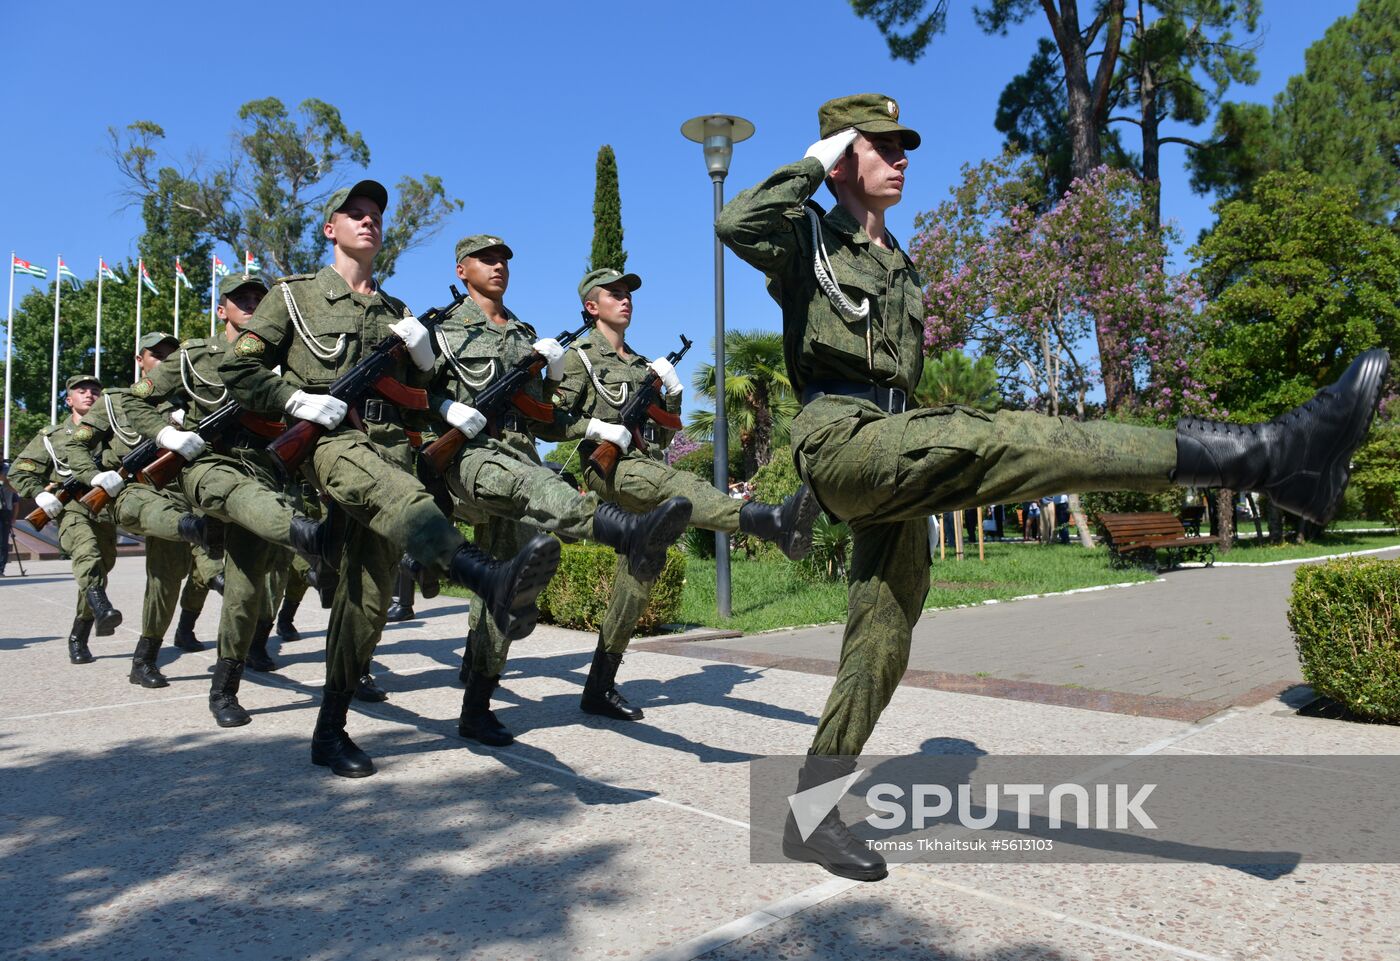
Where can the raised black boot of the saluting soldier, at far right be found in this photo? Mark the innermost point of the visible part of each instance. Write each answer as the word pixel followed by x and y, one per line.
pixel 1303 459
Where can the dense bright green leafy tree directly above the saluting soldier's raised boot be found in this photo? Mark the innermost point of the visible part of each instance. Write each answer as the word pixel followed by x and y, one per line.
pixel 1300 285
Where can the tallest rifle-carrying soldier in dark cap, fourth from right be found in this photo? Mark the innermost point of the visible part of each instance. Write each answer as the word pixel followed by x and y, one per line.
pixel 318 327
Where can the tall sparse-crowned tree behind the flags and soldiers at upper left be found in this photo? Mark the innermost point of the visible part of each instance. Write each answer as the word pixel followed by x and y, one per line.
pixel 268 197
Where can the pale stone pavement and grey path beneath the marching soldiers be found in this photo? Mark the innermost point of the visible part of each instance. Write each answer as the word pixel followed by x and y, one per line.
pixel 134 829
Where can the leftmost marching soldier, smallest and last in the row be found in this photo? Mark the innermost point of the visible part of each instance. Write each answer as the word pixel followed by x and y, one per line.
pixel 90 540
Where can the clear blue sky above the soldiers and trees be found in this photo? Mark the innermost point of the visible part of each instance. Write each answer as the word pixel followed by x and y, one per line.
pixel 509 104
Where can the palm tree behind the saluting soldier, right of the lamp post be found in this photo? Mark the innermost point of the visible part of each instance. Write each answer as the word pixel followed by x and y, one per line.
pixel 758 397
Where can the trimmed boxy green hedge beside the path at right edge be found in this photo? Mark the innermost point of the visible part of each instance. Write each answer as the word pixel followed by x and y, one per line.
pixel 1346 616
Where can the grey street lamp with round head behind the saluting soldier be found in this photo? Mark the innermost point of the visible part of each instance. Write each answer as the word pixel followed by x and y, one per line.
pixel 719 134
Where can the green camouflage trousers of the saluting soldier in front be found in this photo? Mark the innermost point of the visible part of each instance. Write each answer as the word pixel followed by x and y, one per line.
pixel 885 476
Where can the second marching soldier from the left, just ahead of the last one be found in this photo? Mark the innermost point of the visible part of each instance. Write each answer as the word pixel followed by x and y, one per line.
pixel 104 436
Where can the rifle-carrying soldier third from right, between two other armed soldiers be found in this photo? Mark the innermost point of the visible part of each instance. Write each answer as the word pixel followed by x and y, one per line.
pixel 503 478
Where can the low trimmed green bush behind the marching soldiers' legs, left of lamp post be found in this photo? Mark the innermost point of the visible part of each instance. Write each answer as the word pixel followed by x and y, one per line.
pixel 577 596
